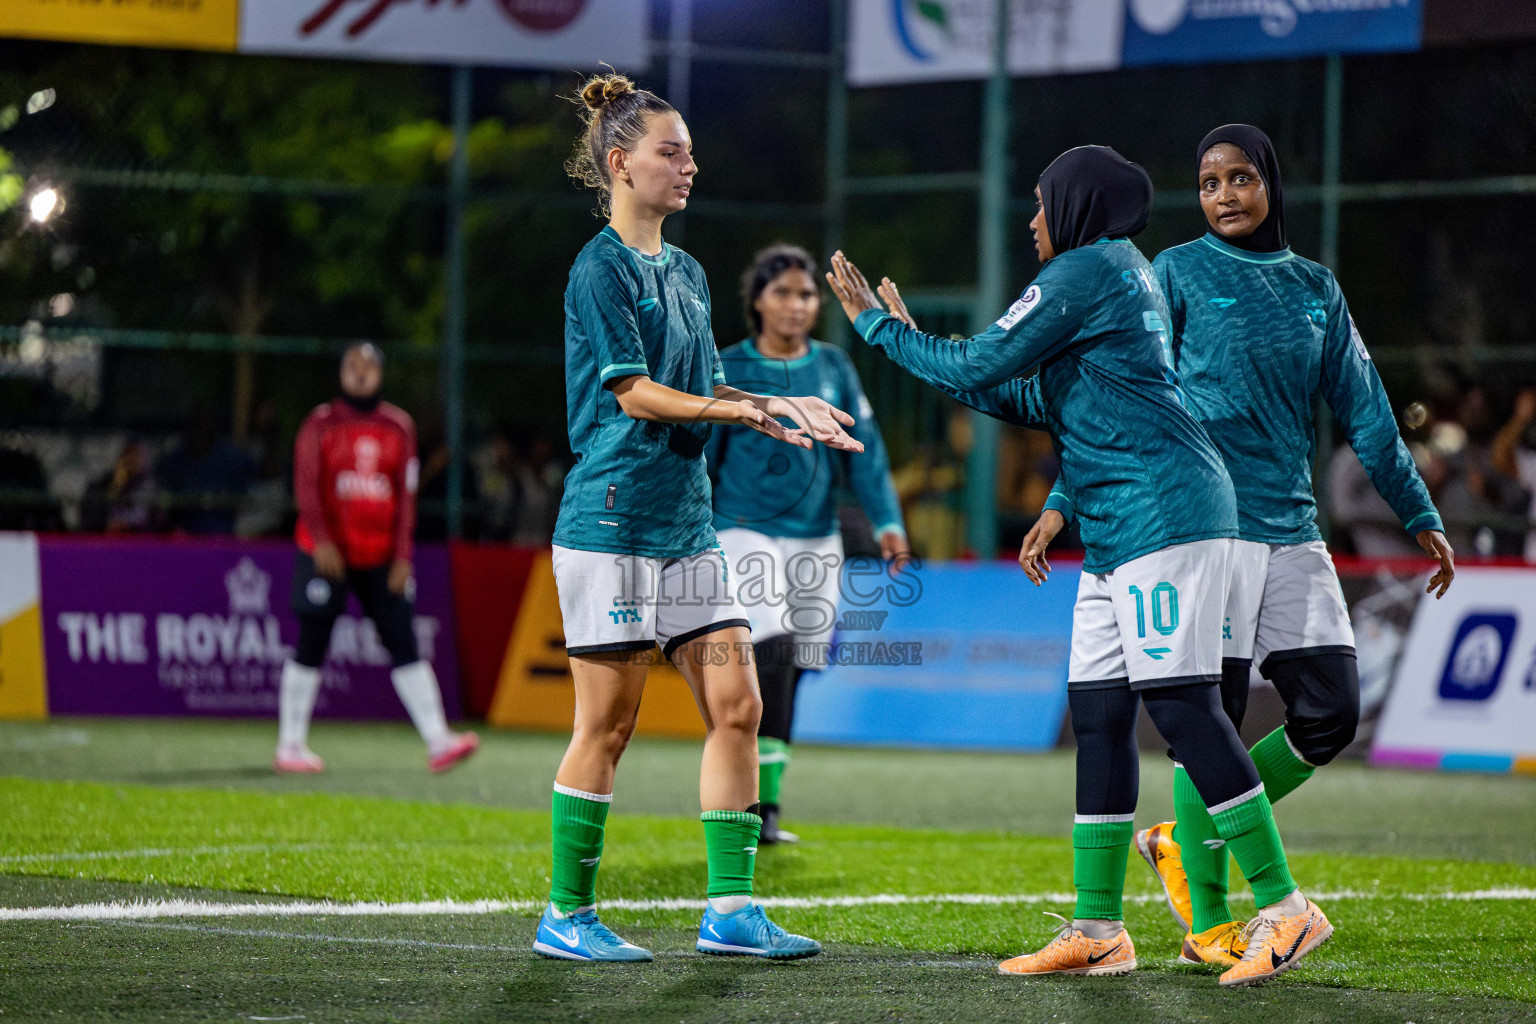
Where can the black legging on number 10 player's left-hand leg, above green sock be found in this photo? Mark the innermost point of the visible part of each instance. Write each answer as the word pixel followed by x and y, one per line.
pixel 1108 765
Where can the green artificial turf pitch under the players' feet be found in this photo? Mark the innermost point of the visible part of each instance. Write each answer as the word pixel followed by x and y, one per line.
pixel 98 811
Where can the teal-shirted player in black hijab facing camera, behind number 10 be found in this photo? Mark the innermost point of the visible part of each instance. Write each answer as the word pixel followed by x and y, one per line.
pixel 1259 332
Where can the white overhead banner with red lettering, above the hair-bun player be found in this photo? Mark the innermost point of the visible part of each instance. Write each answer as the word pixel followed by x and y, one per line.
pixel 557 35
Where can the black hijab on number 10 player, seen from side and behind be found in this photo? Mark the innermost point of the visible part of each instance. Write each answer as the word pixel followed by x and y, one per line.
pixel 1093 193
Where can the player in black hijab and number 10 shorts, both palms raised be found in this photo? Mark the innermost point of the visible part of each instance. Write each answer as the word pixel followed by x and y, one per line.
pixel 1159 518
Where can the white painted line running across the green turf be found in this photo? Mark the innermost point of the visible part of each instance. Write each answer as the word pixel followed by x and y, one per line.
pixel 153 910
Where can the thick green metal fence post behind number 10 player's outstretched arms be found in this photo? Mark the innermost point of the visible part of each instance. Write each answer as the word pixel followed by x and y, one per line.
pixel 991 294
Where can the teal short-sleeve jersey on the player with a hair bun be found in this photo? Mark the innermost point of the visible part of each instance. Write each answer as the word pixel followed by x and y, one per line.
pixel 638 487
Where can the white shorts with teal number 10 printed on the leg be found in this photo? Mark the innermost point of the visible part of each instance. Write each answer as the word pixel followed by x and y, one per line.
pixel 1156 621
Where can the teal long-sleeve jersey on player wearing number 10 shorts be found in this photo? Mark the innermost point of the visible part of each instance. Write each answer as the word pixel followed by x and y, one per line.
pixel 1142 472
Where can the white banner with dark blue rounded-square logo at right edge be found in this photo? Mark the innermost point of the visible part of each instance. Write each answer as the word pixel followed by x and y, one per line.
pixel 1466 687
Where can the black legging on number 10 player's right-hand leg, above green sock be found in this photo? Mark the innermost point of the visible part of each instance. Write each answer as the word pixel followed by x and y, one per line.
pixel 1203 739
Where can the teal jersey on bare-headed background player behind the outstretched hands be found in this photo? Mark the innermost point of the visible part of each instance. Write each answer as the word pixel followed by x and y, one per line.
pixel 784 492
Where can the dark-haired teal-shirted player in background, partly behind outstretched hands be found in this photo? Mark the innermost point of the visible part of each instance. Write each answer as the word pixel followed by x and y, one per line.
pixel 776 510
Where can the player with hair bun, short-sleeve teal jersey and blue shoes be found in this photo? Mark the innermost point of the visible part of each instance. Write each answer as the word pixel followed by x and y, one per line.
pixel 637 561
